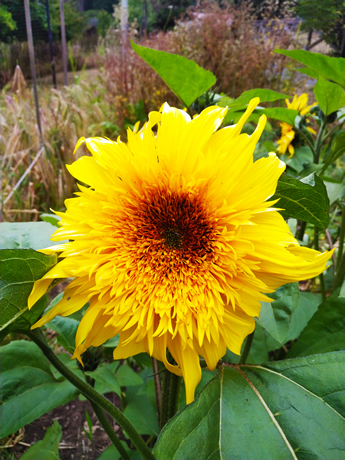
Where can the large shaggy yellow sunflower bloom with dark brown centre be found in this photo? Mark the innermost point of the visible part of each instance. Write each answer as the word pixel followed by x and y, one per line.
pixel 174 244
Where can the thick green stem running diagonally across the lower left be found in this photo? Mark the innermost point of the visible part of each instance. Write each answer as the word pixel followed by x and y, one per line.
pixel 91 394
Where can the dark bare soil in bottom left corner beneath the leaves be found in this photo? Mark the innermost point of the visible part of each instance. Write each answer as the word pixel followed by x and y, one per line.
pixel 74 444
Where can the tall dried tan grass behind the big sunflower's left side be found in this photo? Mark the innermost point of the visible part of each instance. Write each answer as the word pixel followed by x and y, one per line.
pixel 79 110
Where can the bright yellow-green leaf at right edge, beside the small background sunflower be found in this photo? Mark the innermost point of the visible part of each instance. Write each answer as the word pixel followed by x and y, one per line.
pixel 329 96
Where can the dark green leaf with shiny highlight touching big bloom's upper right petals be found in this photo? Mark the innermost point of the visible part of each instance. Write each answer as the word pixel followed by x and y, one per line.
pixel 304 199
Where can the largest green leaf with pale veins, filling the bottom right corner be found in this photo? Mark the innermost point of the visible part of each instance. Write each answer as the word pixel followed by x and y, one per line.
pixel 270 412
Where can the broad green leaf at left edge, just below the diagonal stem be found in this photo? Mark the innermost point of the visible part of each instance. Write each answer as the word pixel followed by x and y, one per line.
pixel 28 388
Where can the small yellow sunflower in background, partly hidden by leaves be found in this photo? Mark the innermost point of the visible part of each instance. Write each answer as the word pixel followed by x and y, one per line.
pixel 287 132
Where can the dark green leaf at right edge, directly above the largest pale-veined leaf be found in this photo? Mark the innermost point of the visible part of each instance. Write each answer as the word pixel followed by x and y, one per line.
pixel 325 330
